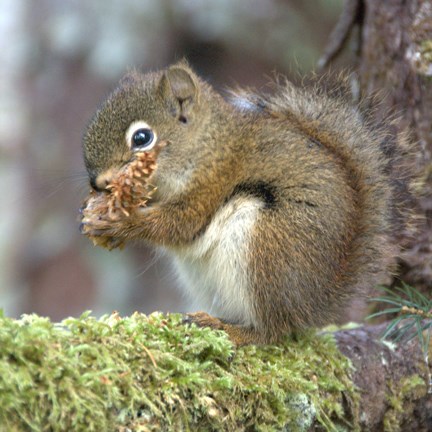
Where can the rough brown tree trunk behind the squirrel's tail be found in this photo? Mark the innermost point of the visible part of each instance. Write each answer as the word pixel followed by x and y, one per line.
pixel 394 59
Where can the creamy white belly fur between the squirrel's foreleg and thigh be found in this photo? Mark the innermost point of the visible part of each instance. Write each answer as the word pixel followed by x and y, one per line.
pixel 214 271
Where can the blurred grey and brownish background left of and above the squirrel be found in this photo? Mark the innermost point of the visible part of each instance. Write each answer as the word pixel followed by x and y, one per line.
pixel 59 59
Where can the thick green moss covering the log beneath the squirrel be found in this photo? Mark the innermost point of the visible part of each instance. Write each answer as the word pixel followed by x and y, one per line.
pixel 146 373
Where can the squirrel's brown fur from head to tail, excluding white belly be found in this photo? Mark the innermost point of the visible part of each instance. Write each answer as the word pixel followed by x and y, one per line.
pixel 322 178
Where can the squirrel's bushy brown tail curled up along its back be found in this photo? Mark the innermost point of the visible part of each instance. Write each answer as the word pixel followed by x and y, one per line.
pixel 376 160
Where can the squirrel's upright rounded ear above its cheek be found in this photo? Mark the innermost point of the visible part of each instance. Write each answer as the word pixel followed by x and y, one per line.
pixel 178 87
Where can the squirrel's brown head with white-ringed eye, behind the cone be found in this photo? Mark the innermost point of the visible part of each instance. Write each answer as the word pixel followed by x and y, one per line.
pixel 171 106
